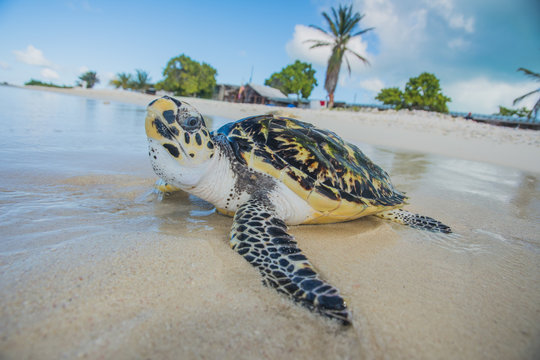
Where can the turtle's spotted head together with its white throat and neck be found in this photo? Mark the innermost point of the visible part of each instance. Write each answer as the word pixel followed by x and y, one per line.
pixel 183 153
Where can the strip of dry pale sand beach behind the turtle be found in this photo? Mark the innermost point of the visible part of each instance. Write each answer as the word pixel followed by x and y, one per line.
pixel 414 131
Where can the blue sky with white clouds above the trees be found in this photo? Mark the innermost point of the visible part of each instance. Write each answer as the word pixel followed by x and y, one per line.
pixel 473 46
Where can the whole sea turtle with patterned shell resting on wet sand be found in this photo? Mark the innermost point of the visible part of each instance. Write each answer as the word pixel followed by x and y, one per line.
pixel 268 172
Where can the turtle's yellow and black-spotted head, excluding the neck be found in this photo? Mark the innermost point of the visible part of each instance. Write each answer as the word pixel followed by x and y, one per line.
pixel 180 144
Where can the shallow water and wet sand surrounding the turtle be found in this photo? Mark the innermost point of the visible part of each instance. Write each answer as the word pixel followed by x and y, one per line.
pixel 87 252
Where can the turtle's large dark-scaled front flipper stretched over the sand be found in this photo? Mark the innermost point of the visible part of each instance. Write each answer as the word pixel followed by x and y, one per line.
pixel 263 240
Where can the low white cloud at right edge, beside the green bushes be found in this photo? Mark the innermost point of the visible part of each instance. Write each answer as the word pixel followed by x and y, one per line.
pixel 483 95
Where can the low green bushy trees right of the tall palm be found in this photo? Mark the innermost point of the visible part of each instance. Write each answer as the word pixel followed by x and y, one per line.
pixel 421 93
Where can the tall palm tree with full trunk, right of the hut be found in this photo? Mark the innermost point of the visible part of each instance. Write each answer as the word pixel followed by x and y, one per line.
pixel 342 27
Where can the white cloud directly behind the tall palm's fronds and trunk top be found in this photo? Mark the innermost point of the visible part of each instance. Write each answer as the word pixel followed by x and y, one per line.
pixel 299 48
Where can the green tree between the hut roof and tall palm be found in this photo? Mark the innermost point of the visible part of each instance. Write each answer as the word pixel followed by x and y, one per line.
pixel 297 78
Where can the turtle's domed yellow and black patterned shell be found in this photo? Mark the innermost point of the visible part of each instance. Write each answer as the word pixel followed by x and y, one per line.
pixel 337 180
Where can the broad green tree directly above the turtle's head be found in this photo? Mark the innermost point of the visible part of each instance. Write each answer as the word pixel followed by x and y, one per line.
pixel 187 77
